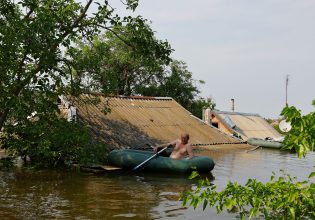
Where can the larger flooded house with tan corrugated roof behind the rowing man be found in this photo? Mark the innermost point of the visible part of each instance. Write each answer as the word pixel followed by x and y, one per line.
pixel 138 122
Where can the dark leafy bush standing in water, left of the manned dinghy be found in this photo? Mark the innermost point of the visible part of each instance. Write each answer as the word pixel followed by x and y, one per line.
pixel 52 142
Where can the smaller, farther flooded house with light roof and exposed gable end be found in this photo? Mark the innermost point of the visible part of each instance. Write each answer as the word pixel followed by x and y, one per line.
pixel 243 125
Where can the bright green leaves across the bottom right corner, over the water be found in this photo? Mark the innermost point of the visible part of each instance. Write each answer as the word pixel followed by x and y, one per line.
pixel 284 197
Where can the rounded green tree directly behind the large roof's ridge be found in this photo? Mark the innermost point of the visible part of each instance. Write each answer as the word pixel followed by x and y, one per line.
pixel 118 63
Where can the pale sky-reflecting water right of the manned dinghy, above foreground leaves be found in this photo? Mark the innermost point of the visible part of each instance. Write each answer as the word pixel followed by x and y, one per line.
pixel 259 164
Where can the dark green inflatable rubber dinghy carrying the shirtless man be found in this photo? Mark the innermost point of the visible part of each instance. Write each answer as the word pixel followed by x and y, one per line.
pixel 128 159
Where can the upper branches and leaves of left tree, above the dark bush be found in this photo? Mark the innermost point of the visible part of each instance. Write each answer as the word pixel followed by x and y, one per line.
pixel 34 36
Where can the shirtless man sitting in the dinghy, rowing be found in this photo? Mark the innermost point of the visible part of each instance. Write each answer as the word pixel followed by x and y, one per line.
pixel 181 147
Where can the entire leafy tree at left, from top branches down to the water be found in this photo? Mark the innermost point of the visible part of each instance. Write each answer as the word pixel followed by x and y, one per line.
pixel 34 70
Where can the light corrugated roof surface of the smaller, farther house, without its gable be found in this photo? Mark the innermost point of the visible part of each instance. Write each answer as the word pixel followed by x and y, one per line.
pixel 250 125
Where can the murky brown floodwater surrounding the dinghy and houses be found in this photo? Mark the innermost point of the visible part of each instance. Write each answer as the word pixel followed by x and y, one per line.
pixel 51 194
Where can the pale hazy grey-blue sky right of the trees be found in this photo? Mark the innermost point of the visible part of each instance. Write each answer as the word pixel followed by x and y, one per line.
pixel 242 49
